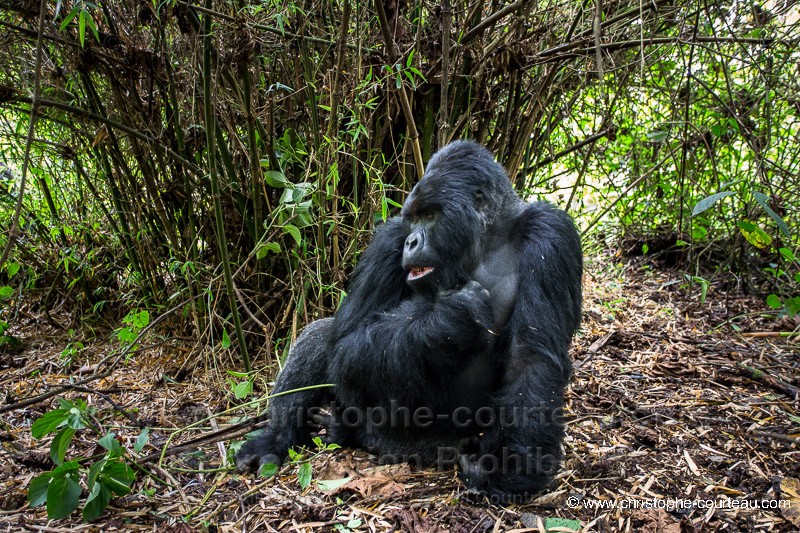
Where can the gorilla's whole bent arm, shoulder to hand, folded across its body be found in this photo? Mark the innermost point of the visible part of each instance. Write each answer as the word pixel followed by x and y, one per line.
pixel 389 344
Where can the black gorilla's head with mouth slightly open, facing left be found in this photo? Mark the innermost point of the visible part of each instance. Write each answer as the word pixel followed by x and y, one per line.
pixel 451 214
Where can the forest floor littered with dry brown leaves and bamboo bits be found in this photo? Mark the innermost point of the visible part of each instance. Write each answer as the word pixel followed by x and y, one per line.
pixel 682 416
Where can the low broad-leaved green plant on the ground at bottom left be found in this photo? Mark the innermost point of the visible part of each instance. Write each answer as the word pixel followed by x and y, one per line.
pixel 60 488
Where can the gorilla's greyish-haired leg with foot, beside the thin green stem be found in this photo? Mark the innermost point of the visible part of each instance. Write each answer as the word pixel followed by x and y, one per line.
pixel 290 415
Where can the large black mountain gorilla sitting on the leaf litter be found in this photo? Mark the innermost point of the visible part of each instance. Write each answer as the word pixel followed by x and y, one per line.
pixel 451 346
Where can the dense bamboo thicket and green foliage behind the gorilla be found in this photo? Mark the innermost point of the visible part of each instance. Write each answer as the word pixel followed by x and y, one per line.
pixel 226 161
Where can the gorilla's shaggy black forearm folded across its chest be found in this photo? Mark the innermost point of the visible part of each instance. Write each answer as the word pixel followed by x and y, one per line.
pixel 412 352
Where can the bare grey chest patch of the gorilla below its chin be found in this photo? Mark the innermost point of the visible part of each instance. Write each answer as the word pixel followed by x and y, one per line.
pixel 498 273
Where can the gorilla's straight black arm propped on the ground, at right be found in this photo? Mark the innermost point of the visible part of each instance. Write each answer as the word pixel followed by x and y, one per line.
pixel 537 369
